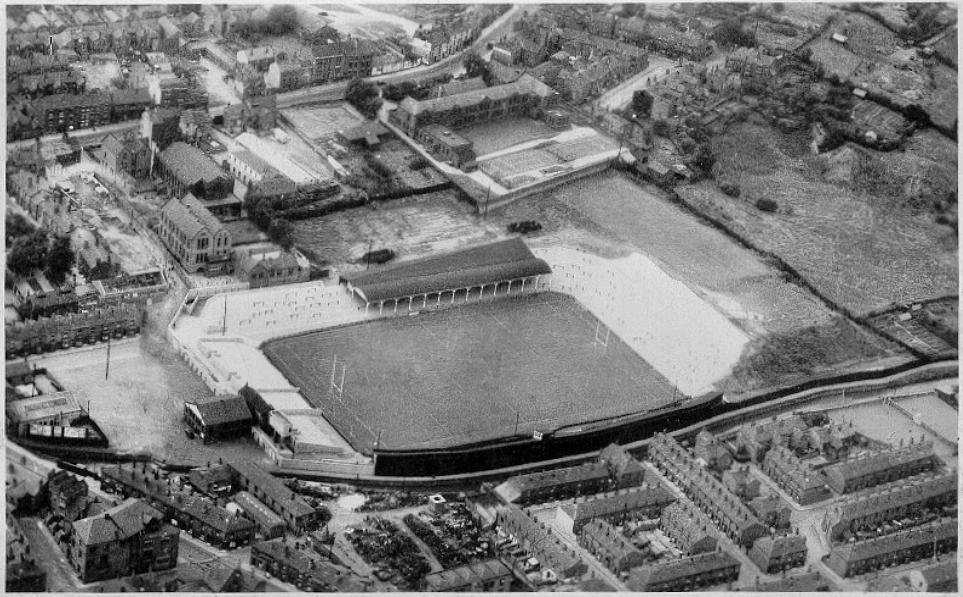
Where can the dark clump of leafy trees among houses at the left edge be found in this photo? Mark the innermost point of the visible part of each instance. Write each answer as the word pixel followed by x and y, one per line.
pixel 31 249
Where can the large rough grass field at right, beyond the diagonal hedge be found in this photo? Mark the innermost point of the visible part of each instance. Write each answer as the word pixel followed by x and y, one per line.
pixel 865 251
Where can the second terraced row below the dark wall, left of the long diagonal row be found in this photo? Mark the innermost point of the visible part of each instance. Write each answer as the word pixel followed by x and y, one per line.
pixel 643 502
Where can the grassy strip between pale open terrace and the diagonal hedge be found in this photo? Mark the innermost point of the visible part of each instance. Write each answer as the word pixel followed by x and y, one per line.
pixel 612 215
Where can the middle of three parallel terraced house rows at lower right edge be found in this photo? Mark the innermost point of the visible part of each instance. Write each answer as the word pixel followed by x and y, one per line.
pixel 906 498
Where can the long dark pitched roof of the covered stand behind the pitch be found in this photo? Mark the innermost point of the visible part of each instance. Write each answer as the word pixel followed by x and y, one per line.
pixel 496 262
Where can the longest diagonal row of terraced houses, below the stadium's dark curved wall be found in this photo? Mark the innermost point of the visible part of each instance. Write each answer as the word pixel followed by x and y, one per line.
pixel 707 492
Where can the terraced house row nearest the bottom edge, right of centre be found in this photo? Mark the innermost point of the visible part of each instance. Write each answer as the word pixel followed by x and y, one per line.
pixel 686 574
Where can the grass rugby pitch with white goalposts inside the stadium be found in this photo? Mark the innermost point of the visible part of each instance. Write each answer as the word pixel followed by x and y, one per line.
pixel 463 374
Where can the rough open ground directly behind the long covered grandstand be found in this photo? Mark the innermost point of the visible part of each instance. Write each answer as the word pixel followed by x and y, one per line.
pixel 412 227
